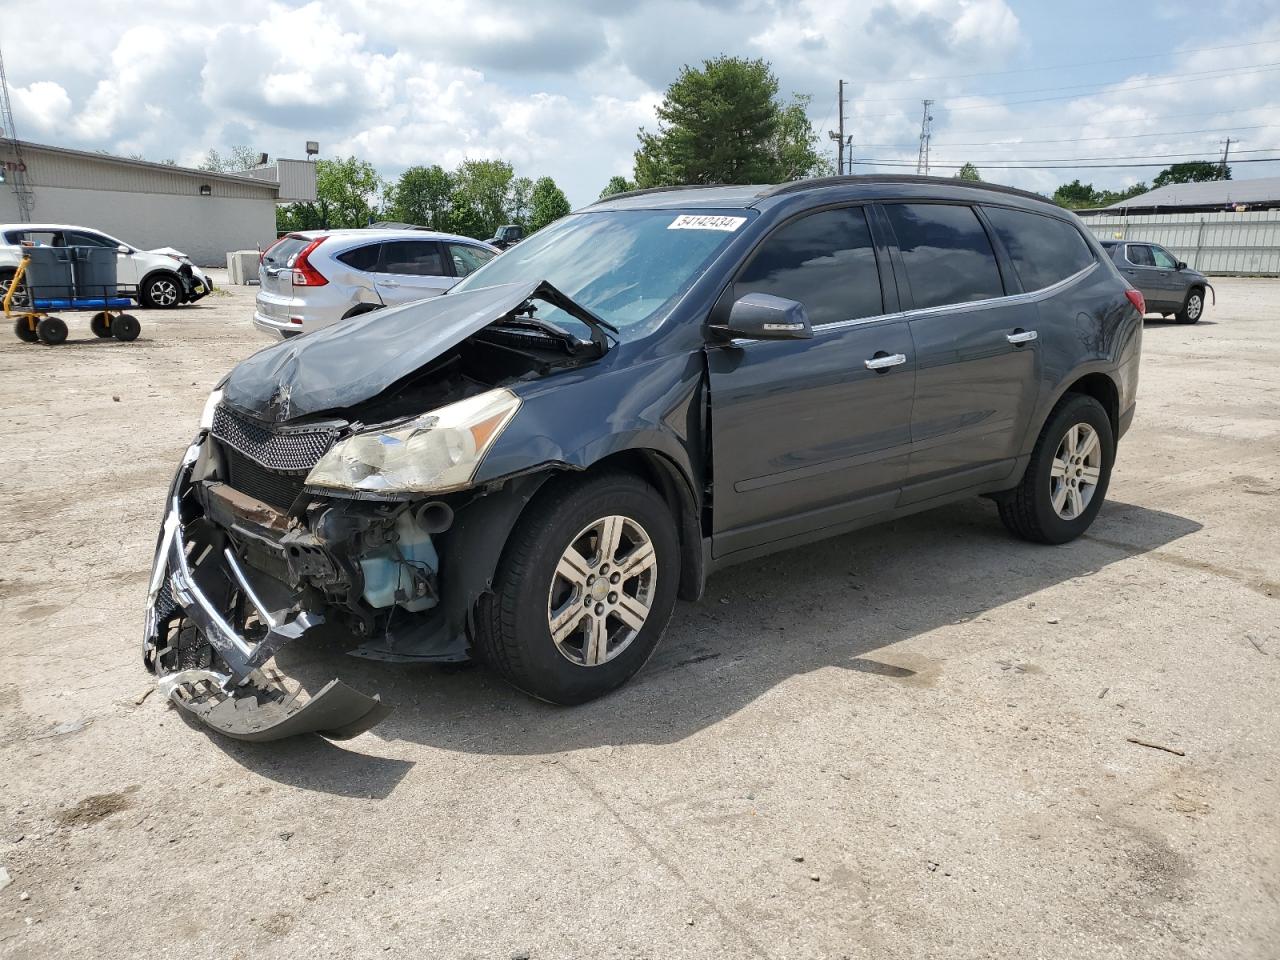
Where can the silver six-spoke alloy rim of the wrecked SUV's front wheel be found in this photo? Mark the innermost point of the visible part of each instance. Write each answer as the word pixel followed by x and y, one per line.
pixel 602 591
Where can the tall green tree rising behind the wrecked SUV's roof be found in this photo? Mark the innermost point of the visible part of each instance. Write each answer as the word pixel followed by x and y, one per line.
pixel 725 124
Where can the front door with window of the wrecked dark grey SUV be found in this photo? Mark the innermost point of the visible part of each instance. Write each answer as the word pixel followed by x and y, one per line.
pixel 804 433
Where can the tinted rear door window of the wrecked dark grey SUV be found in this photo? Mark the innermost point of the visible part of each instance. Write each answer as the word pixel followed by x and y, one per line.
pixel 947 254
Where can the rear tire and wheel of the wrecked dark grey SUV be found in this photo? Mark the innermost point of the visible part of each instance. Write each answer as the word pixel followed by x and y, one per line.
pixel 1030 509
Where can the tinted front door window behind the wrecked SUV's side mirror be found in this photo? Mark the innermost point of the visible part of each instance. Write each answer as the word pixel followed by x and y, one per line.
pixel 826 262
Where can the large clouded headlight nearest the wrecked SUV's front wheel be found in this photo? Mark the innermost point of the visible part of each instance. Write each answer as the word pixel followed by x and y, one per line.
pixel 435 454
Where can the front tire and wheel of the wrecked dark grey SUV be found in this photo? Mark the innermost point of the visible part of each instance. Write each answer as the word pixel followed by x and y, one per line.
pixel 514 624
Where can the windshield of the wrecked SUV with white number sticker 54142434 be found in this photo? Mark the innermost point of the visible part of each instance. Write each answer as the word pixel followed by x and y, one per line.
pixel 624 266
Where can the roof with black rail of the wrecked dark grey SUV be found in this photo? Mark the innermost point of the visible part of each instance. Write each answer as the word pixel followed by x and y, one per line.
pixel 751 195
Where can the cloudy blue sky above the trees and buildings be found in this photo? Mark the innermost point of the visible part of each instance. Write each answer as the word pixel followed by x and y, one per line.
pixel 560 89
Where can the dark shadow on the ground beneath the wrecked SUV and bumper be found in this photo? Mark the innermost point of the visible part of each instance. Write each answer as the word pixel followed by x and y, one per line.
pixel 830 605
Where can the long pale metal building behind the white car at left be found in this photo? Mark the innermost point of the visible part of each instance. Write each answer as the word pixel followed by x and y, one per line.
pixel 154 205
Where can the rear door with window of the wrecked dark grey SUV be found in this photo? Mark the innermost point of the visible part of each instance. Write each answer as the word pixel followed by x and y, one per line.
pixel 977 359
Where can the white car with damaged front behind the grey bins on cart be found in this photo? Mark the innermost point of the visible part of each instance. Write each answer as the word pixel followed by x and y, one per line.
pixel 164 277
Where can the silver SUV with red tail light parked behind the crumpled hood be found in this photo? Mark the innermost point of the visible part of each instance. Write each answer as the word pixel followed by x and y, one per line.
pixel 316 278
